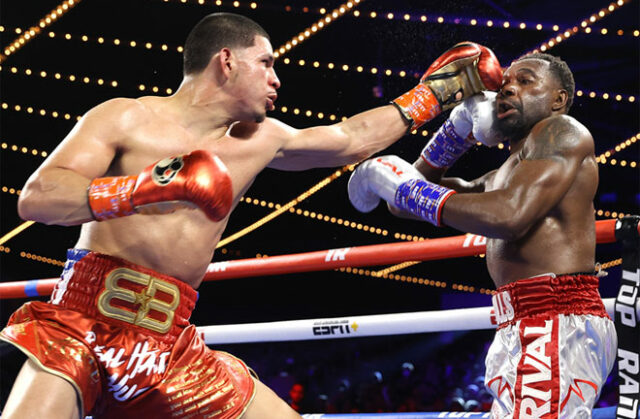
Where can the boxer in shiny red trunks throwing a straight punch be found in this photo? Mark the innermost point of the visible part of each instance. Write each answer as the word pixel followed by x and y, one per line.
pixel 114 341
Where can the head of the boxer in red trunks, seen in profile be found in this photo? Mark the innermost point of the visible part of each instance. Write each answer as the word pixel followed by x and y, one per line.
pixel 234 53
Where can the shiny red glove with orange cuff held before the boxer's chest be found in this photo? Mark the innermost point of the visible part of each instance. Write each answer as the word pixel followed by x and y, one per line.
pixel 195 180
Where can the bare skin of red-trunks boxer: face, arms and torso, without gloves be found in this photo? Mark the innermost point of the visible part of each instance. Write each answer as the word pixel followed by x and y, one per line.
pixel 124 136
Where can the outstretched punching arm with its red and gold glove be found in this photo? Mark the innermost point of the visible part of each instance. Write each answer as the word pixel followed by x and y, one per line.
pixel 463 70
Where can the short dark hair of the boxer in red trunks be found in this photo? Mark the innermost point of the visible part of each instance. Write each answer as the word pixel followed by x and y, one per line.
pixel 216 31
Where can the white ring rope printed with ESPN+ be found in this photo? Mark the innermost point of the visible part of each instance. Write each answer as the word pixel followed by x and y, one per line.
pixel 358 326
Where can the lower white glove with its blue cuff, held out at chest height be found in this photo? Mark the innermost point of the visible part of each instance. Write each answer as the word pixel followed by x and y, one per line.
pixel 400 184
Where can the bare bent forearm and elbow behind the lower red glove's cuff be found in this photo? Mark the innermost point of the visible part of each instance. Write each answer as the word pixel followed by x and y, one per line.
pixel 55 196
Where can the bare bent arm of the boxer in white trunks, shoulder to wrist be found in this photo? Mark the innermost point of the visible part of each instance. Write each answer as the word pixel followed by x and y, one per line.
pixel 549 166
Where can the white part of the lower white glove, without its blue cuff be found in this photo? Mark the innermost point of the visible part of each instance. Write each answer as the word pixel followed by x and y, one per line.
pixel 378 178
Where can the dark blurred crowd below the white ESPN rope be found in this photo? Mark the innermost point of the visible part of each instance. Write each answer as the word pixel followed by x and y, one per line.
pixel 421 373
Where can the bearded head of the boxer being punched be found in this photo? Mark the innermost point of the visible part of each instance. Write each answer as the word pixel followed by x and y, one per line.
pixel 534 87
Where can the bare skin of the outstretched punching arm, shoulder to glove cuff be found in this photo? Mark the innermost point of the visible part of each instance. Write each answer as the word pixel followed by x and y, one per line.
pixel 346 142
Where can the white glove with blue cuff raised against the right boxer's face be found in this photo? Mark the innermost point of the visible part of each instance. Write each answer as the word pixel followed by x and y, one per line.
pixel 473 120
